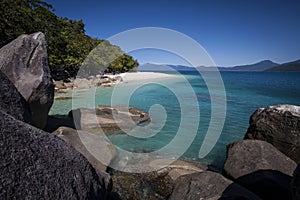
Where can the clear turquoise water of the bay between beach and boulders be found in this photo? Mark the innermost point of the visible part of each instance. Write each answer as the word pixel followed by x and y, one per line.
pixel 245 92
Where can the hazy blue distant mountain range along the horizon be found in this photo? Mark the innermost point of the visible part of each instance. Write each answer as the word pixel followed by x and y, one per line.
pixel 265 65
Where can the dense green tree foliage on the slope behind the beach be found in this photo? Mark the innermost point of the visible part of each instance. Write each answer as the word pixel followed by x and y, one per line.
pixel 67 42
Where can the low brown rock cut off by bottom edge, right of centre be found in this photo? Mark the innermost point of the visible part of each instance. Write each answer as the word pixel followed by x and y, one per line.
pixel 208 185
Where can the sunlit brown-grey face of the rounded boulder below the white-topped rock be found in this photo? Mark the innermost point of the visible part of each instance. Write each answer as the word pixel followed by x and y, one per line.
pixel 247 156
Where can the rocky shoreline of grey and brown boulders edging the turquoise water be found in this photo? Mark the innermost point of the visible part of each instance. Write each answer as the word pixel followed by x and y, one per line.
pixel 47 158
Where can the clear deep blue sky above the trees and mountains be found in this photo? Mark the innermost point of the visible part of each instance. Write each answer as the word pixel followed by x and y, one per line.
pixel 233 32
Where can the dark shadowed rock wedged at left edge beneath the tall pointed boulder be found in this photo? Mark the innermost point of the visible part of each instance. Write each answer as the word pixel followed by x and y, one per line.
pixel 12 102
